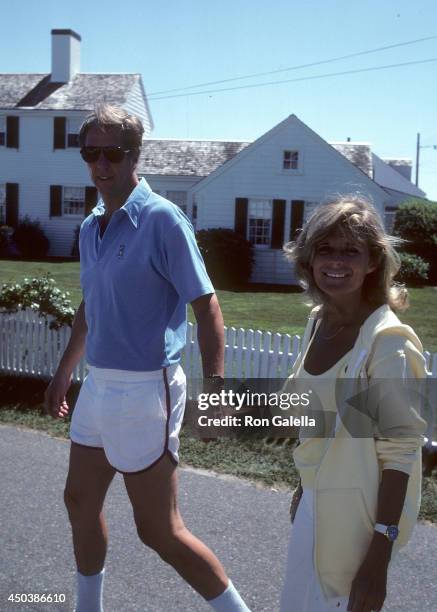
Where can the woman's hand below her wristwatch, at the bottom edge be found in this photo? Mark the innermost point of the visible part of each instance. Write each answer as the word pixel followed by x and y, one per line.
pixel 369 586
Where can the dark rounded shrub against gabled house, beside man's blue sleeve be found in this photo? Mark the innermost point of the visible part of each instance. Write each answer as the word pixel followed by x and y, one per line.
pixel 228 256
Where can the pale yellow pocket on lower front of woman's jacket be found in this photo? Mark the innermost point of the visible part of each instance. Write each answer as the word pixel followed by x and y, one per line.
pixel 344 529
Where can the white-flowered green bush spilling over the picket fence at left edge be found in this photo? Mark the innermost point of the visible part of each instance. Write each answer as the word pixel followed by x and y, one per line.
pixel 40 295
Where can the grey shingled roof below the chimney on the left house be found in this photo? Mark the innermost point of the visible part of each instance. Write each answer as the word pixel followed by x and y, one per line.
pixel 81 93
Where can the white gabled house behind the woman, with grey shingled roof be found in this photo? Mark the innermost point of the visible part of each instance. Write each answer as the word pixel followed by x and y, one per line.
pixel 266 189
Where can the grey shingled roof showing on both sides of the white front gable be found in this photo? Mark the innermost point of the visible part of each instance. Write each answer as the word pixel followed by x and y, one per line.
pixel 201 157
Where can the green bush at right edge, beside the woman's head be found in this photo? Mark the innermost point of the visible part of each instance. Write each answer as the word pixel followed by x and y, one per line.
pixel 416 222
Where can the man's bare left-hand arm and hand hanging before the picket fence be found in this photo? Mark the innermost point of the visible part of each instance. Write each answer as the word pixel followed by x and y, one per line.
pixel 54 397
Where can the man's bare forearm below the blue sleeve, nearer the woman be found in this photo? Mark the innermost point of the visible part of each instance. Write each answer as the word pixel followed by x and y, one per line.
pixel 210 333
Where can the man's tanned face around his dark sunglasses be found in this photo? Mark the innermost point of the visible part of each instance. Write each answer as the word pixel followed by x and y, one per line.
pixel 110 178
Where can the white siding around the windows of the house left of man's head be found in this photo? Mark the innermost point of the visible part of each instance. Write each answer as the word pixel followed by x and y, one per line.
pixel 36 166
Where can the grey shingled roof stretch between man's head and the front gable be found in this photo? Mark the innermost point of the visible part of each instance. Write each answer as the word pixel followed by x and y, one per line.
pixel 186 157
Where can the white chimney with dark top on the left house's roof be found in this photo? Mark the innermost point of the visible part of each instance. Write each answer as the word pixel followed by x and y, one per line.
pixel 65 55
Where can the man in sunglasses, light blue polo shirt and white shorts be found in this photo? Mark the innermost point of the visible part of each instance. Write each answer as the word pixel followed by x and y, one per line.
pixel 140 266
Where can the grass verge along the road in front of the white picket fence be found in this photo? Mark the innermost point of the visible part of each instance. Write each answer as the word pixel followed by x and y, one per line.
pixel 255 460
